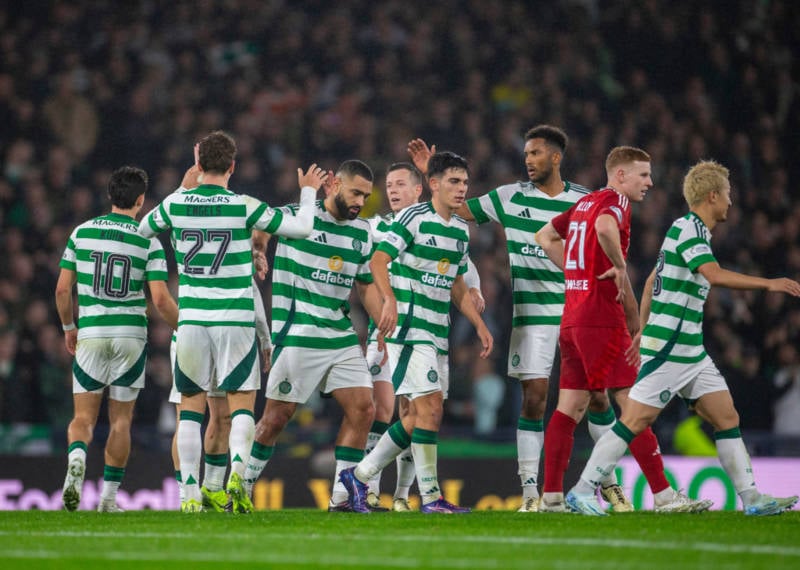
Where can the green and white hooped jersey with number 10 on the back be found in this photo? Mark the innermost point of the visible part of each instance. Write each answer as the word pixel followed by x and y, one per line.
pixel 112 262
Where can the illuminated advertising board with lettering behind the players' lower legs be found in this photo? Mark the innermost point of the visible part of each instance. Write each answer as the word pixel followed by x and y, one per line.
pixel 35 482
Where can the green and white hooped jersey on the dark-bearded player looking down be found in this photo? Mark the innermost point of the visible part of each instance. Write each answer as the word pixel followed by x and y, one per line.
pixel 312 279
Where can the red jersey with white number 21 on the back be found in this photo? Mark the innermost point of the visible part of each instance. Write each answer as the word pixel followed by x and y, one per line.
pixel 588 301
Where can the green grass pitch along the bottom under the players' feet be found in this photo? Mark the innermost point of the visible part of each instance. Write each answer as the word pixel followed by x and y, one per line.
pixel 304 538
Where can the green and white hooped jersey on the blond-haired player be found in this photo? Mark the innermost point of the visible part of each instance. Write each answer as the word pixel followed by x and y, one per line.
pixel 674 330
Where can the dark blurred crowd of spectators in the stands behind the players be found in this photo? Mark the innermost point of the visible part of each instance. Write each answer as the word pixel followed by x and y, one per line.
pixel 86 87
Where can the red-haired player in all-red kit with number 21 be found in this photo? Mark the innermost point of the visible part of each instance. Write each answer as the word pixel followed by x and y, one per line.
pixel 599 337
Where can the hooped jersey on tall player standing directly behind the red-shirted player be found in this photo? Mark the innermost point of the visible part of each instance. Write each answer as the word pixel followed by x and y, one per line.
pixel 522 209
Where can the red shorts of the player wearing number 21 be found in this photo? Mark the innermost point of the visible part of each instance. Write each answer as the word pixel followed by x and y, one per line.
pixel 593 358
